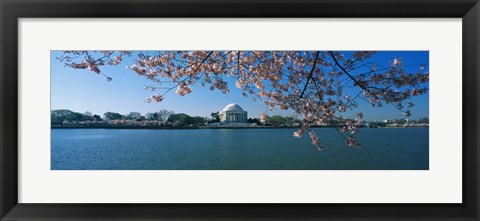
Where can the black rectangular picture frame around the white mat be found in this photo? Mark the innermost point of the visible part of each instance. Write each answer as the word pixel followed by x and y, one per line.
pixel 12 10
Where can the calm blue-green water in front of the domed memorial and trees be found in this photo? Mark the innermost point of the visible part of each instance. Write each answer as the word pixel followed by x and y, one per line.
pixel 236 149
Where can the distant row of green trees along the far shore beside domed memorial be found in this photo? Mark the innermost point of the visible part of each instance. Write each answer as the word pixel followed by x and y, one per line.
pixel 169 119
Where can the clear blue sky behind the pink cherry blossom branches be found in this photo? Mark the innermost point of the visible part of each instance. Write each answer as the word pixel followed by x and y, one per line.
pixel 81 90
